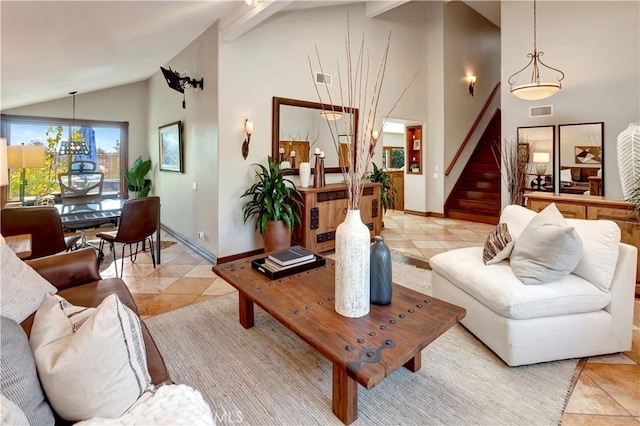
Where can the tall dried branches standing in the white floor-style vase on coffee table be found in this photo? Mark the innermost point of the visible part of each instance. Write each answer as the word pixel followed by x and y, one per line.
pixel 354 93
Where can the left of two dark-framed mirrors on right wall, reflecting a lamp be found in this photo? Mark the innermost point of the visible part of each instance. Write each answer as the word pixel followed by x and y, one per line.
pixel 536 147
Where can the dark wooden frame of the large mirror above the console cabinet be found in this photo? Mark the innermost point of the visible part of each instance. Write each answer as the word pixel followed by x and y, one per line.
pixel 275 127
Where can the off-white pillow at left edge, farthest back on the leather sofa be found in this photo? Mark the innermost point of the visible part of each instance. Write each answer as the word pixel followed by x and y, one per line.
pixel 21 287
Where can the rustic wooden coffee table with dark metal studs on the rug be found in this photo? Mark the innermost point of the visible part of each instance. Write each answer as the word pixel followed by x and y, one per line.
pixel 363 350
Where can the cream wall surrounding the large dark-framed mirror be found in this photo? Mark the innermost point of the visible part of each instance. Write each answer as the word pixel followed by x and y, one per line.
pixel 269 62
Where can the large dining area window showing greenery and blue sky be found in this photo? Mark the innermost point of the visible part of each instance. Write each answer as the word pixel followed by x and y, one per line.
pixel 106 143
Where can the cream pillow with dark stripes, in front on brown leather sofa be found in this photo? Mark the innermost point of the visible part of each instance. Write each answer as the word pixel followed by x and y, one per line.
pixel 91 361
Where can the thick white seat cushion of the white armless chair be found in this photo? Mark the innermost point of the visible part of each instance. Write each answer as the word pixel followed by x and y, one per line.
pixel 497 288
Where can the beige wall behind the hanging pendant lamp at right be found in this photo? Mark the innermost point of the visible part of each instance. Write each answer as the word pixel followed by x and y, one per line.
pixel 597 45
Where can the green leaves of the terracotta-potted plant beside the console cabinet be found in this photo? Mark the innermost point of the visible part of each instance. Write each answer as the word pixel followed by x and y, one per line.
pixel 272 198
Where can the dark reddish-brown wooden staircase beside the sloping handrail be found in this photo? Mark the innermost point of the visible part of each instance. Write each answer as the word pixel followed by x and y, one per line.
pixel 476 195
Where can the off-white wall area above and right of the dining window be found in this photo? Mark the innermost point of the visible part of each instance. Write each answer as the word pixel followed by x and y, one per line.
pixel 123 103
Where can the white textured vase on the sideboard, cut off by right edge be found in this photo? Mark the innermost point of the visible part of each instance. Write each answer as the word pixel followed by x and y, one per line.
pixel 629 158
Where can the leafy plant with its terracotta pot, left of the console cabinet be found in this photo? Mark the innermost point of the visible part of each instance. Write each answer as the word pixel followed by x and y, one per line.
pixel 275 203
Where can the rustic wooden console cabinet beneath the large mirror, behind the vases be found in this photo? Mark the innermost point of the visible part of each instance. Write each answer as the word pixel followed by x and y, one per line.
pixel 323 209
